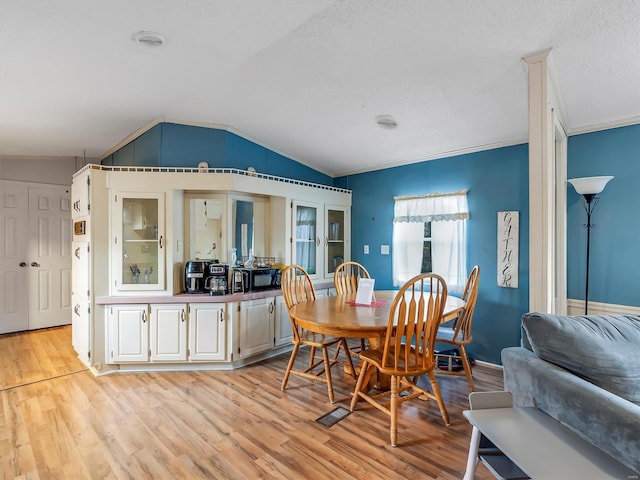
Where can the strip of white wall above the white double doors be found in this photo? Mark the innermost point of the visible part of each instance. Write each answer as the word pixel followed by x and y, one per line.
pixel 52 170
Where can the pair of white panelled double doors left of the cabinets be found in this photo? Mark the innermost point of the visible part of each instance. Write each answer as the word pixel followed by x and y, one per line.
pixel 35 256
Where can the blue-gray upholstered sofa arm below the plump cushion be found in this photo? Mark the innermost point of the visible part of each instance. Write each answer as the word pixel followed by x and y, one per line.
pixel 606 420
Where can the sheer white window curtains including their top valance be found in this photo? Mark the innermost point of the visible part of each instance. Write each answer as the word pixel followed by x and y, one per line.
pixel 448 214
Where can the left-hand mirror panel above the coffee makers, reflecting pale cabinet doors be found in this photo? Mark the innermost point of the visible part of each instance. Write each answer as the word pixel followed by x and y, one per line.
pixel 206 239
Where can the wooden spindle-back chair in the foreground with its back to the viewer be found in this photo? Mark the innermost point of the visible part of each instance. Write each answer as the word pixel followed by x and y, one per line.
pixel 408 350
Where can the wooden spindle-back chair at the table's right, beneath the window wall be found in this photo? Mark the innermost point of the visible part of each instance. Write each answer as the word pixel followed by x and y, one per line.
pixel 459 333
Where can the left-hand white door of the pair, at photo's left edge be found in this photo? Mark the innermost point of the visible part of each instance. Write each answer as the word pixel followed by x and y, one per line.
pixel 14 259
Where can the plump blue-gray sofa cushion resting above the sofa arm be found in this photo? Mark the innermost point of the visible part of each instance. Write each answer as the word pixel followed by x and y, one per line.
pixel 604 350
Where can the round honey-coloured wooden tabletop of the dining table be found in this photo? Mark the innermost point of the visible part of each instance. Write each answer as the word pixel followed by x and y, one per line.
pixel 334 316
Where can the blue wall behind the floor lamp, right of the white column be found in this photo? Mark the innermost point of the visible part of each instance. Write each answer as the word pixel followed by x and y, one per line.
pixel 614 274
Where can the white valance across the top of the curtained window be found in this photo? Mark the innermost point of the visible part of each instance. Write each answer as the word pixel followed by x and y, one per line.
pixel 431 208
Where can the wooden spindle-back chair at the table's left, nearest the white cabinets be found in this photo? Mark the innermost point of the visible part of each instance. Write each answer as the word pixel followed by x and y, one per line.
pixel 297 288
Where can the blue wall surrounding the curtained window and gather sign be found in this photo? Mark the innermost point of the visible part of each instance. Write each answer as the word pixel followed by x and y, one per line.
pixel 496 180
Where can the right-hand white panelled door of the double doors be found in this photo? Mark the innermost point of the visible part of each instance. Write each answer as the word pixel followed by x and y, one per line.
pixel 50 237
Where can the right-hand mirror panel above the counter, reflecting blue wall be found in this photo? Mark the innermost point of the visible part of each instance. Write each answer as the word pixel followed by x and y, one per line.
pixel 249 227
